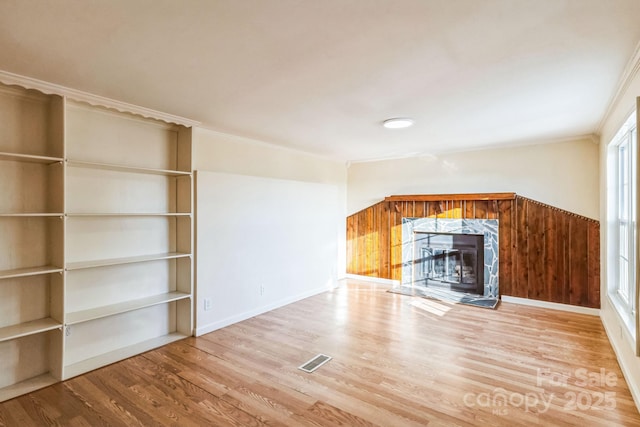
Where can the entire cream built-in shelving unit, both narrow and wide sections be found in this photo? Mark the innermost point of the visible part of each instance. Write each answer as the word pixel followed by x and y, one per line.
pixel 96 237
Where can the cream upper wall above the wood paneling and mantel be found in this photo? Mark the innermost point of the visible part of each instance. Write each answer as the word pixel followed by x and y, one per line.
pixel 563 174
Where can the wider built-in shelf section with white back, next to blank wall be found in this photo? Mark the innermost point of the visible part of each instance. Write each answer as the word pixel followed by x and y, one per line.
pixel 128 236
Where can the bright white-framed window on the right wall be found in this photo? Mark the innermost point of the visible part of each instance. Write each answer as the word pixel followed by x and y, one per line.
pixel 622 220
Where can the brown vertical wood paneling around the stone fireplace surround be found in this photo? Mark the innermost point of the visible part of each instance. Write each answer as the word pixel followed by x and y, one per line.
pixel 546 253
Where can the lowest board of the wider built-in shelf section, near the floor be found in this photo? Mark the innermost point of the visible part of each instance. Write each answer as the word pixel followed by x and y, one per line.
pixel 119 354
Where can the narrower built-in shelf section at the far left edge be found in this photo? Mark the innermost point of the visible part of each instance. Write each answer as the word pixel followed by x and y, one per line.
pixel 31 240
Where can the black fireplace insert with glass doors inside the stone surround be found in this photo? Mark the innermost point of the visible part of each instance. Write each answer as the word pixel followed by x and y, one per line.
pixel 449 260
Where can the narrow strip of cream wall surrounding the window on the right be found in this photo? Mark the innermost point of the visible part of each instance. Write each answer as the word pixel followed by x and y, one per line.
pixel 620 339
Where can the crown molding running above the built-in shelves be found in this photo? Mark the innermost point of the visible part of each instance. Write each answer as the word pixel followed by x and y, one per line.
pixel 95 100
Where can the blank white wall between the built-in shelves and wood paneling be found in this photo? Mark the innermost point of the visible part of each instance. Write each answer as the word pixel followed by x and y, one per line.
pixel 267 218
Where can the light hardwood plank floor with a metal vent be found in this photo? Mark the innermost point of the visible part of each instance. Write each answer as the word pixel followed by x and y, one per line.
pixel 397 361
